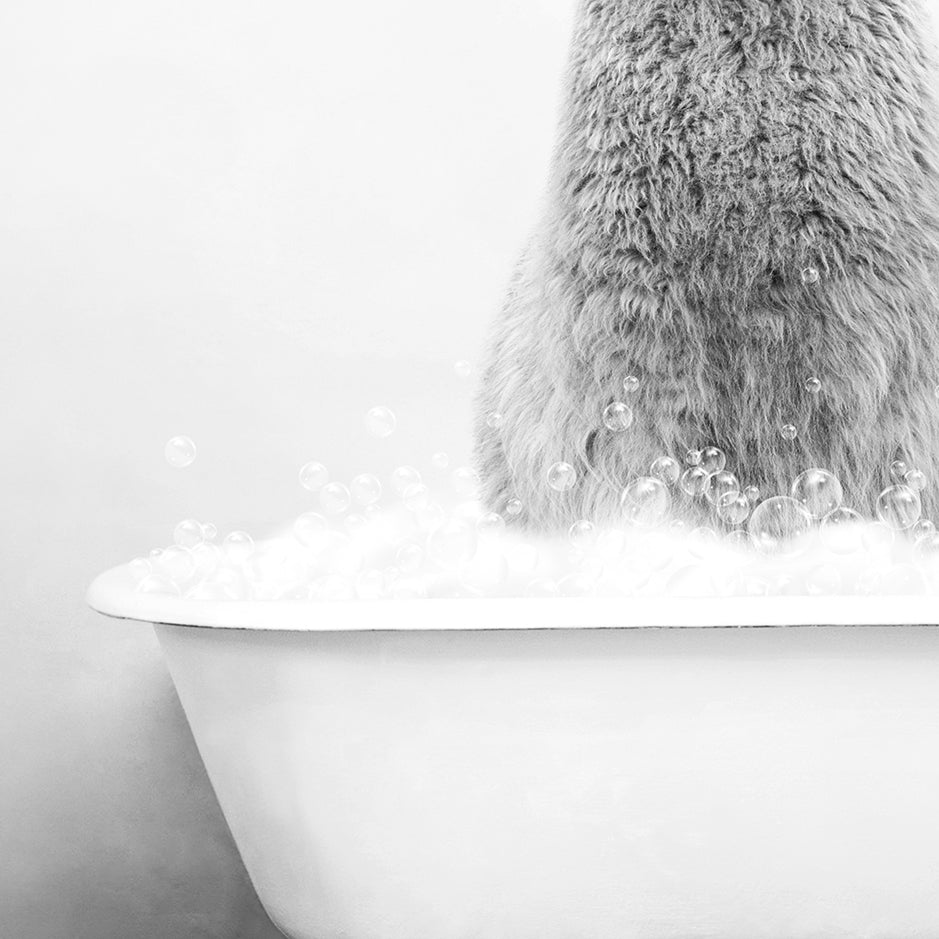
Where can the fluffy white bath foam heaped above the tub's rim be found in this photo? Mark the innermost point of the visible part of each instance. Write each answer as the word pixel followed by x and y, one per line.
pixel 396 554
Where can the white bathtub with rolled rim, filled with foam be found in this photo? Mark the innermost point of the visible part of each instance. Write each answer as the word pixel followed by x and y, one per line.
pixel 569 769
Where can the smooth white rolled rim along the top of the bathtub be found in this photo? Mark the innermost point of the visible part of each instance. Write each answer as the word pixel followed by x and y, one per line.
pixel 113 594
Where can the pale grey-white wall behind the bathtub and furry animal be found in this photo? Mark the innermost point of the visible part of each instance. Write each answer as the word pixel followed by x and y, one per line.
pixel 248 222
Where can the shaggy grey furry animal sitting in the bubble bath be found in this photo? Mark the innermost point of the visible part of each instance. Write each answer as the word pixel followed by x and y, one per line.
pixel 709 152
